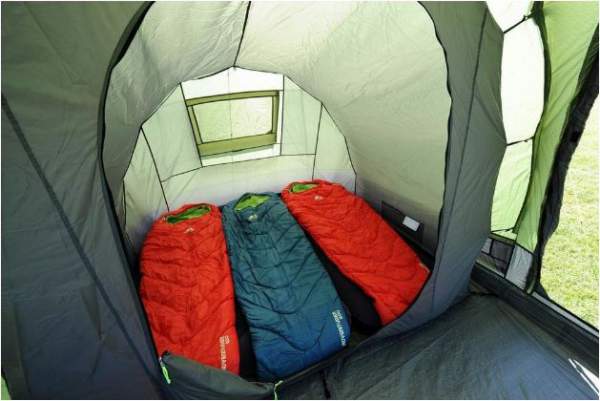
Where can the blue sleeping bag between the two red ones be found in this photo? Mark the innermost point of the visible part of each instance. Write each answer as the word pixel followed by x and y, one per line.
pixel 295 315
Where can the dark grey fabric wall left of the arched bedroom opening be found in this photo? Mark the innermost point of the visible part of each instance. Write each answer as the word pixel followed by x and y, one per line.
pixel 69 313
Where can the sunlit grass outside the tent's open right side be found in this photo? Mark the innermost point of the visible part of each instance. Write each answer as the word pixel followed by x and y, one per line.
pixel 570 264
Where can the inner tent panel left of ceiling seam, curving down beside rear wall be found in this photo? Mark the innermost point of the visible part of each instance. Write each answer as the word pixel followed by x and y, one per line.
pixel 207 35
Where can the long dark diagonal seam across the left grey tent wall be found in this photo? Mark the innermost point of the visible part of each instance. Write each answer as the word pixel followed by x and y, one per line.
pixel 75 240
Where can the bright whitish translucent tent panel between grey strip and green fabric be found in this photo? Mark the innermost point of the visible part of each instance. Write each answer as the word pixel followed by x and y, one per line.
pixel 522 72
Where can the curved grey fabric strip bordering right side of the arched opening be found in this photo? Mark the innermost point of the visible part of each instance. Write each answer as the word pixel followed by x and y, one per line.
pixel 475 150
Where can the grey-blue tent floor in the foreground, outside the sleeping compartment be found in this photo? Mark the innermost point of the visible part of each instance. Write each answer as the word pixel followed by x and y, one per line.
pixel 481 348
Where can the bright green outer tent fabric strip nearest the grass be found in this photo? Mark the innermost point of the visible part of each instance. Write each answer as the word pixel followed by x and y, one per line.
pixel 568 28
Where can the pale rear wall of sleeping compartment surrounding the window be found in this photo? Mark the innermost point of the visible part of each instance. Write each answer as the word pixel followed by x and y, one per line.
pixel 167 170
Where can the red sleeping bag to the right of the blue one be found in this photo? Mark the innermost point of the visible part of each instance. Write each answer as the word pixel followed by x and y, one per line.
pixel 360 243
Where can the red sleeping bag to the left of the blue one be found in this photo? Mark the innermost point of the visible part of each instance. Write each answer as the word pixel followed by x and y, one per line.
pixel 187 288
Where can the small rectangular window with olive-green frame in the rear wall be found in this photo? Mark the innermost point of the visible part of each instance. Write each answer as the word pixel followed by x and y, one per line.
pixel 234 122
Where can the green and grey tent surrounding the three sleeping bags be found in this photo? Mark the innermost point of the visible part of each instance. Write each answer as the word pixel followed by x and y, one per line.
pixel 455 120
